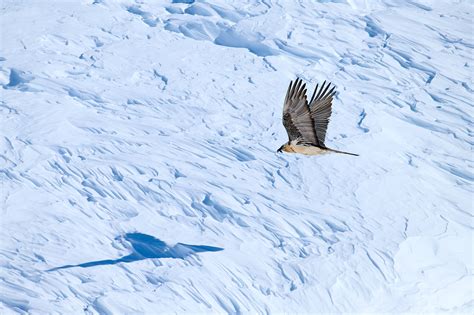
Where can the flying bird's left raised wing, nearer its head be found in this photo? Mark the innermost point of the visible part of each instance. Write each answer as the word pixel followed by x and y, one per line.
pixel 297 116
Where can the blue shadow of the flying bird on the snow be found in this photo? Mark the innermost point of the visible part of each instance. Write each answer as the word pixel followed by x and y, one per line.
pixel 146 246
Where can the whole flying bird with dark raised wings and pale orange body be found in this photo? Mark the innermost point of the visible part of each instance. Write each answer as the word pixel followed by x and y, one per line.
pixel 306 124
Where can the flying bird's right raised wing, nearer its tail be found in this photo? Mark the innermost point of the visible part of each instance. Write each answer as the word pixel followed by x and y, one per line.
pixel 320 109
